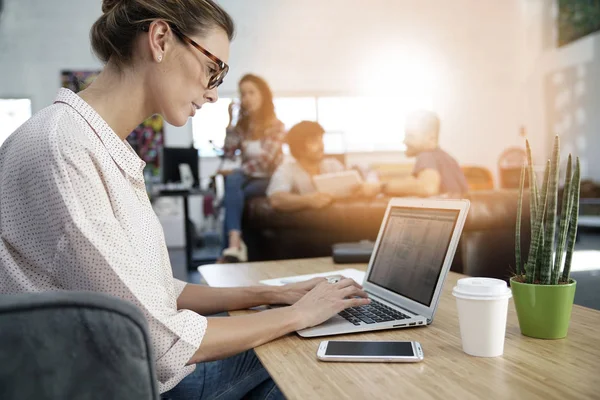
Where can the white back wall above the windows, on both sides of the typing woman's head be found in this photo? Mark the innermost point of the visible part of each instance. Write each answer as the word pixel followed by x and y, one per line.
pixel 465 49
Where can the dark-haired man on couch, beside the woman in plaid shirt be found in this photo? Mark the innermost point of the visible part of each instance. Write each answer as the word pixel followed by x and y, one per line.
pixel 292 187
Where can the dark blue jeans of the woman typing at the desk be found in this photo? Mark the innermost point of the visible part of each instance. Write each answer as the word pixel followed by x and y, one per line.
pixel 237 377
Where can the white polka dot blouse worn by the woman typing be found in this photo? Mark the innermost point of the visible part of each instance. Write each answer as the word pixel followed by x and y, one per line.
pixel 74 215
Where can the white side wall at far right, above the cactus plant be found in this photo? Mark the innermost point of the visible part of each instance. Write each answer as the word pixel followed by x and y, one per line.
pixel 561 88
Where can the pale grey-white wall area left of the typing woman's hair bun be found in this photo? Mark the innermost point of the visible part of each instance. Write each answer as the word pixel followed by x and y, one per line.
pixel 40 38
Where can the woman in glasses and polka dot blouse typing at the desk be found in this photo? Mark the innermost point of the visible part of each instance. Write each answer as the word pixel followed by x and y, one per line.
pixel 74 213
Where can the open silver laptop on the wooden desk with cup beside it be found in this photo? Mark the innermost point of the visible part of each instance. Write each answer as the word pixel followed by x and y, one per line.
pixel 413 253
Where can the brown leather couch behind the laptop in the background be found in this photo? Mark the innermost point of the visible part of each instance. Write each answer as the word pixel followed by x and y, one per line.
pixel 486 248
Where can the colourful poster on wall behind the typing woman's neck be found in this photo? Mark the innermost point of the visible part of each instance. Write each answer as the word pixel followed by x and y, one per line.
pixel 146 139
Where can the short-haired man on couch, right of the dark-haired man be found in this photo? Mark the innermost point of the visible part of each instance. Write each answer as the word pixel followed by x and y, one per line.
pixel 435 171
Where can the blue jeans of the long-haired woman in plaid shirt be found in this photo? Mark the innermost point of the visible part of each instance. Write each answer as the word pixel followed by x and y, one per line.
pixel 238 188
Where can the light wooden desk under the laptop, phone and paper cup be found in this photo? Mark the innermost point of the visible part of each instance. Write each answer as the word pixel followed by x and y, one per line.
pixel 529 368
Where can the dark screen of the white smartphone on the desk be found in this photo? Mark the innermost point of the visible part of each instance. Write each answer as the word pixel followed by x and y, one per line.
pixel 370 349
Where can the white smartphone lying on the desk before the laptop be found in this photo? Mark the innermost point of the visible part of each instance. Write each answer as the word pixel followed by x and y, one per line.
pixel 369 351
